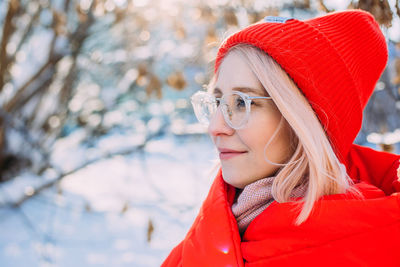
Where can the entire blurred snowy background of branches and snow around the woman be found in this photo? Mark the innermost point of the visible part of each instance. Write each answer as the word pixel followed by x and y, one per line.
pixel 102 162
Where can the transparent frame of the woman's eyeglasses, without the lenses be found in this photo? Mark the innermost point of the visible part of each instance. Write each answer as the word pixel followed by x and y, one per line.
pixel 247 99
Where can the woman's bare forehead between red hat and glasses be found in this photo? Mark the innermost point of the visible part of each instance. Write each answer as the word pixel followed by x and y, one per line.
pixel 234 72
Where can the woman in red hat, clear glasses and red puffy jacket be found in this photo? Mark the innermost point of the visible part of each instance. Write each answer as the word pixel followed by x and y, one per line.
pixel 283 110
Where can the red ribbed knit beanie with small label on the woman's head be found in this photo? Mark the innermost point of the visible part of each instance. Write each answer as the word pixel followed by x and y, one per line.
pixel 335 60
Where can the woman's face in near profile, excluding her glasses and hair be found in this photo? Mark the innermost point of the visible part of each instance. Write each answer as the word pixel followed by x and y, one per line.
pixel 242 151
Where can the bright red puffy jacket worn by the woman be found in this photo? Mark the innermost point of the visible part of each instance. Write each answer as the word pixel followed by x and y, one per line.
pixel 342 230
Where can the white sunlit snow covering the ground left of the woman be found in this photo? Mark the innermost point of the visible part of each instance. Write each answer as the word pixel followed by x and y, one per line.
pixel 100 215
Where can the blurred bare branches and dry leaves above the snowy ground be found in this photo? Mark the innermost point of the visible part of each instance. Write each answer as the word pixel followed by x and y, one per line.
pixel 101 66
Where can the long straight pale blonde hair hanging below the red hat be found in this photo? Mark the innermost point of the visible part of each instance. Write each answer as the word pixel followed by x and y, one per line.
pixel 313 161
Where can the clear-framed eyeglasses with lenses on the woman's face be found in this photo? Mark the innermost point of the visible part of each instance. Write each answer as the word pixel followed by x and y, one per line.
pixel 235 107
